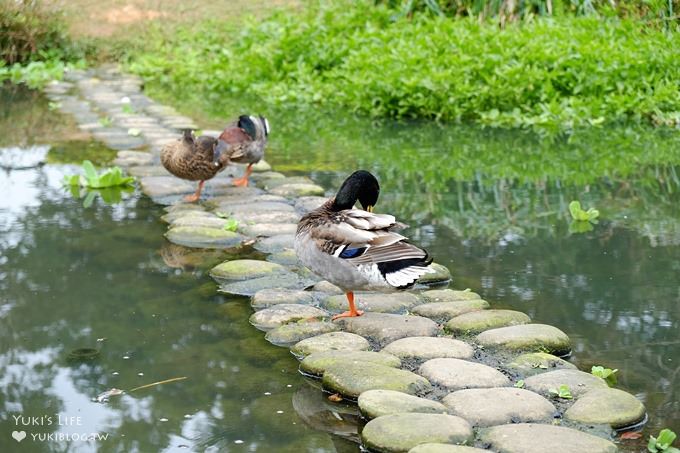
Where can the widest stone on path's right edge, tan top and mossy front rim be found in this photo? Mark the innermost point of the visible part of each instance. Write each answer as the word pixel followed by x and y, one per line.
pixel 527 337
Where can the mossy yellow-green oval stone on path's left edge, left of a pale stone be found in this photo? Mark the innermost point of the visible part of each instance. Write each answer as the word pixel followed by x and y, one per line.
pixel 354 378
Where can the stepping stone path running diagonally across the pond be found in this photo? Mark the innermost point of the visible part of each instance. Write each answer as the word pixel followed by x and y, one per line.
pixel 289 305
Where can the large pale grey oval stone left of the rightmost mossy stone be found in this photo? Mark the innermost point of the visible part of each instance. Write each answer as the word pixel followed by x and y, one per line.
pixel 497 406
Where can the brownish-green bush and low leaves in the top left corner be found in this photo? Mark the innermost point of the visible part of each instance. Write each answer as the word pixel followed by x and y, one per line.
pixel 34 43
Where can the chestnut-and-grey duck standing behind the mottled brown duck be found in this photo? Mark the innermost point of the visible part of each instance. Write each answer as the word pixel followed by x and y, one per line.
pixel 248 136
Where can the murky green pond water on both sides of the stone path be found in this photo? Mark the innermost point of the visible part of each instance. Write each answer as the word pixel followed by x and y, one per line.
pixel 491 206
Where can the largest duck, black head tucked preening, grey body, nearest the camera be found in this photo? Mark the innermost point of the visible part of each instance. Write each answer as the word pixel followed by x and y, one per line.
pixel 357 249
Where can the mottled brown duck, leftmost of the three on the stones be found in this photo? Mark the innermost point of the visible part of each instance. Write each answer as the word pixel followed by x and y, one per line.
pixel 195 159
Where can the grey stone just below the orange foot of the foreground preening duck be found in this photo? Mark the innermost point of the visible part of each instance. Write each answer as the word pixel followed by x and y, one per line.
pixel 384 328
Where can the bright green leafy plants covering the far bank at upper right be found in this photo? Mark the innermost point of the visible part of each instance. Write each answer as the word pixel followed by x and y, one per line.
pixel 549 74
